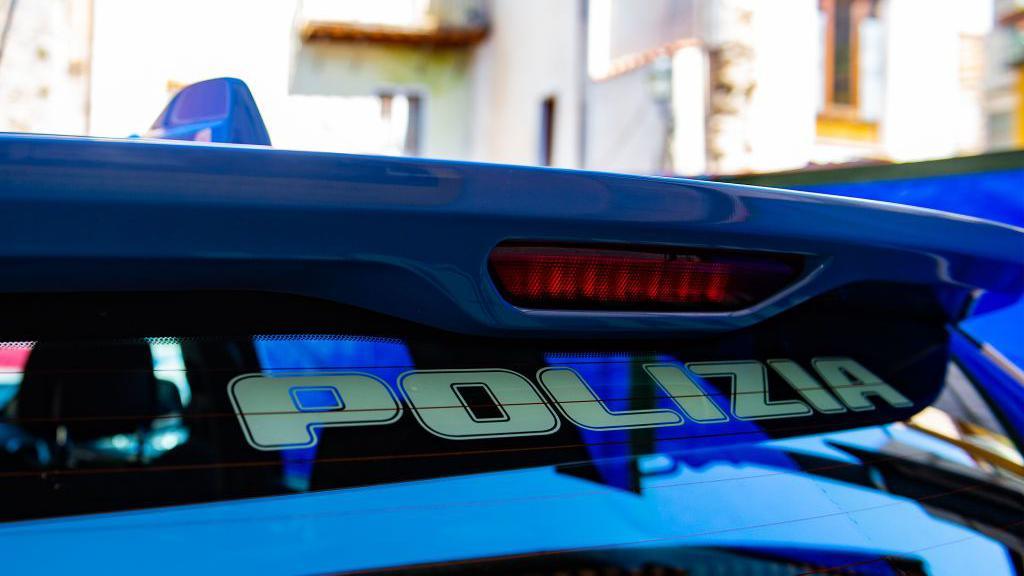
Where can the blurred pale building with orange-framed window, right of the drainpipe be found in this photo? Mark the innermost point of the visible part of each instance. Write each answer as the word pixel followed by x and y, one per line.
pixel 765 87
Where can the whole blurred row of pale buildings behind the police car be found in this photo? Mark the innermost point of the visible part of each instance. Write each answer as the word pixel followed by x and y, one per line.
pixel 664 87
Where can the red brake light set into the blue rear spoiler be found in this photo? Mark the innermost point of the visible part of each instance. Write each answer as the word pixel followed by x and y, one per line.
pixel 628 279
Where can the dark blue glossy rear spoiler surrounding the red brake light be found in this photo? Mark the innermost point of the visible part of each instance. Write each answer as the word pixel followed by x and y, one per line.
pixel 410 237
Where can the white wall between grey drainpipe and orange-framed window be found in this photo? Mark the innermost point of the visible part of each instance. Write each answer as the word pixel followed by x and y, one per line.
pixel 774 129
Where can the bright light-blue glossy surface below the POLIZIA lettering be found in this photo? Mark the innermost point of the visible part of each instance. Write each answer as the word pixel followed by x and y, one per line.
pixel 740 499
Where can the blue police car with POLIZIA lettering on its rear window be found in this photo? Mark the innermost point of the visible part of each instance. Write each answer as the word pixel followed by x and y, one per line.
pixel 223 357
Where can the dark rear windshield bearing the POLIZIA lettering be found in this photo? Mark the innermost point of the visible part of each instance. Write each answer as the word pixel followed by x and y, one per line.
pixel 137 402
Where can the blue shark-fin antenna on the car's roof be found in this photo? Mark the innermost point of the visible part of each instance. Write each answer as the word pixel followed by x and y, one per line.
pixel 222 110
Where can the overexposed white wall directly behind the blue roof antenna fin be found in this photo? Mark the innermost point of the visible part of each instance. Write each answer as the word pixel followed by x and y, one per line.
pixel 140 48
